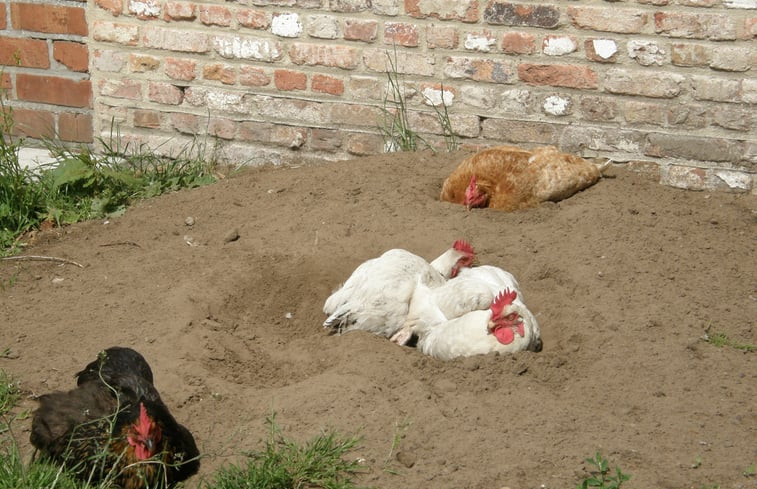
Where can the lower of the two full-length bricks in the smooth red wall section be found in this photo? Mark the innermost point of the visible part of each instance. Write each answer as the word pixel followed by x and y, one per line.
pixel 54 90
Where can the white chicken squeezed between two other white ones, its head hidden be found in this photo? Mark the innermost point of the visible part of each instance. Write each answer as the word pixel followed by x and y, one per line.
pixel 471 290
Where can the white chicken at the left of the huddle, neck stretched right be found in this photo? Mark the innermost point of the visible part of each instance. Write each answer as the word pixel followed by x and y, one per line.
pixel 376 297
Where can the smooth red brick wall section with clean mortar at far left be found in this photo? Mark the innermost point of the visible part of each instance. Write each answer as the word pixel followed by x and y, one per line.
pixel 44 64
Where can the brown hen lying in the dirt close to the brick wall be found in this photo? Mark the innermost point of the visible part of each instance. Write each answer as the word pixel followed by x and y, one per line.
pixel 511 178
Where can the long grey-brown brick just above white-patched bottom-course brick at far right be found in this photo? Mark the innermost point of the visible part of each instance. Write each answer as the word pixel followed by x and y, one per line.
pixel 697 148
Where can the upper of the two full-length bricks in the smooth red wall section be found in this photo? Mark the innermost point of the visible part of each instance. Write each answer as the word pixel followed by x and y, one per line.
pixel 48 18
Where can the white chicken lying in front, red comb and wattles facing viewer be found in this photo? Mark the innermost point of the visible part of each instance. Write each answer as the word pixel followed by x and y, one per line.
pixel 506 327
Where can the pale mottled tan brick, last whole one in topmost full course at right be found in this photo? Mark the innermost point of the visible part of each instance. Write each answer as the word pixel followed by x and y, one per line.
pixel 716 27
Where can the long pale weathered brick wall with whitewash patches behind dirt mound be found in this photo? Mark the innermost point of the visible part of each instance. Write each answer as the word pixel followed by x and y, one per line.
pixel 666 85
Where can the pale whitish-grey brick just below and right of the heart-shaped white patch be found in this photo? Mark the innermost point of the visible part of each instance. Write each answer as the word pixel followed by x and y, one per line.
pixel 647 84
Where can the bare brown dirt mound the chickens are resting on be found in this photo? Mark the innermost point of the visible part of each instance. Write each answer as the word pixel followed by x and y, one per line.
pixel 625 279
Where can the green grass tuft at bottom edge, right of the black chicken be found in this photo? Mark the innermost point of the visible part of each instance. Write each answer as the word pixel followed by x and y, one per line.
pixel 284 464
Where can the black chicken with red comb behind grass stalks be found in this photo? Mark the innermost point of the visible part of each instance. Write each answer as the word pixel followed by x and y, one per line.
pixel 114 426
